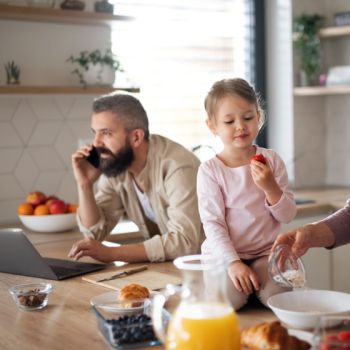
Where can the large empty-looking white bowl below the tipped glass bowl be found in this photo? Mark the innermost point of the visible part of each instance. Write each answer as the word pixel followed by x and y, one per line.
pixel 303 308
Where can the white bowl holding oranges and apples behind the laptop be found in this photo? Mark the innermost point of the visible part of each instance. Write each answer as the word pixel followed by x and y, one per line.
pixel 49 223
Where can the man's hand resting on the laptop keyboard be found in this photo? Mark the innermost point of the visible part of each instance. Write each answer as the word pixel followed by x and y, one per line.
pixel 91 247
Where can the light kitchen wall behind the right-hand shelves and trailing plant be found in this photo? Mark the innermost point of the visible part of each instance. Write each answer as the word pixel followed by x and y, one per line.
pixel 322 124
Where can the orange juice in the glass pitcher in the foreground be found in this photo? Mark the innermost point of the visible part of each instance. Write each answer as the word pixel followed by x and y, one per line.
pixel 204 326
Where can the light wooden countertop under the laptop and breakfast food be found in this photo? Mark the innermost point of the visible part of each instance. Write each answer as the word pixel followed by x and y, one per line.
pixel 67 322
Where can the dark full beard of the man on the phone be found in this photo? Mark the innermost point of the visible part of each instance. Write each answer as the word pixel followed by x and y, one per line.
pixel 118 162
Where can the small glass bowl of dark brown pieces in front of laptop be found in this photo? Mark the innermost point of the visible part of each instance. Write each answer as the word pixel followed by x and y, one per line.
pixel 33 296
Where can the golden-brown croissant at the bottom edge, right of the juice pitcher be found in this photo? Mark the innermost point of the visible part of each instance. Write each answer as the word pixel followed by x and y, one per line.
pixel 271 336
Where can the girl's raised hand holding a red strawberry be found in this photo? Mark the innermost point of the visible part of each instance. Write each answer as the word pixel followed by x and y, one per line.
pixel 264 179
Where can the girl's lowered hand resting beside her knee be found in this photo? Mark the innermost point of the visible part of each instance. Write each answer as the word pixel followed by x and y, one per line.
pixel 243 277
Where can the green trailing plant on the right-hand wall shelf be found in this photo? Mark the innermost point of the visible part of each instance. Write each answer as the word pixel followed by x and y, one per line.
pixel 307 44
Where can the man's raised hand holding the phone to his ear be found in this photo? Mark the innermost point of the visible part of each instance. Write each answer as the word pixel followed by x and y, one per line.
pixel 85 174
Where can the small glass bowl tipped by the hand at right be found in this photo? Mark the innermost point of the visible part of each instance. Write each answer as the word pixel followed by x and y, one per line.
pixel 286 269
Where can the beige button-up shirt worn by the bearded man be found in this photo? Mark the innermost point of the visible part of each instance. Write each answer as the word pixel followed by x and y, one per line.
pixel 169 180
